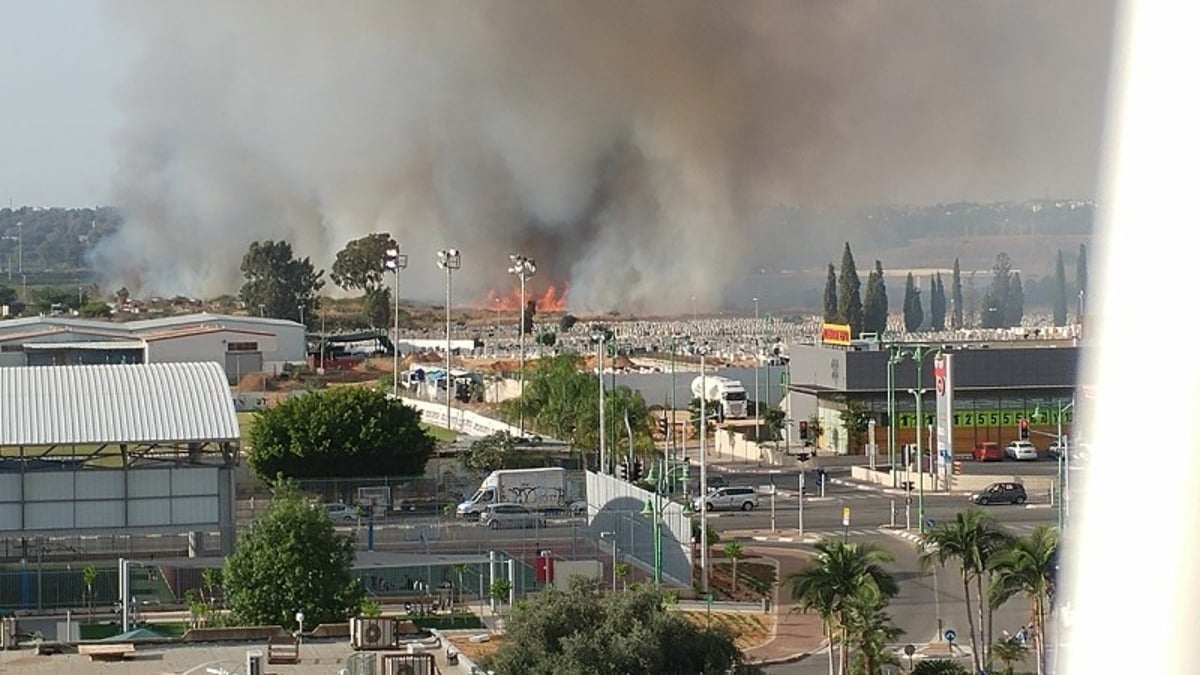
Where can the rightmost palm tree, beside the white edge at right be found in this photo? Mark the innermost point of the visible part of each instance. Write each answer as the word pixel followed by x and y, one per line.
pixel 1028 568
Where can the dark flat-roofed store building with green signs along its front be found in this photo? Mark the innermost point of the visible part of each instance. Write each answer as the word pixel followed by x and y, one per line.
pixel 995 389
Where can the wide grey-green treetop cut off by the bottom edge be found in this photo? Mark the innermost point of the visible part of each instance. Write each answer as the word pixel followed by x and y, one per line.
pixel 583 631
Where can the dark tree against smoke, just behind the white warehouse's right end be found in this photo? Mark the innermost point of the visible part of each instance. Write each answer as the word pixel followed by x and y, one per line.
pixel 279 285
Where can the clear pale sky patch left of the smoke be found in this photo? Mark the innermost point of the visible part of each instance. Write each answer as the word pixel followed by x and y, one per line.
pixel 59 65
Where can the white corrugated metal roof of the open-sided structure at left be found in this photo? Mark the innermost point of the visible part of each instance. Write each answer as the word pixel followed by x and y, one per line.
pixel 116 404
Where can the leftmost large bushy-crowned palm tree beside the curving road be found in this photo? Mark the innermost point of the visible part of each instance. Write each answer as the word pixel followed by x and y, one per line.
pixel 838 575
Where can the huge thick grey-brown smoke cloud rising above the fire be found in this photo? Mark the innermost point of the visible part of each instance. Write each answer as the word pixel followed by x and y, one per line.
pixel 623 145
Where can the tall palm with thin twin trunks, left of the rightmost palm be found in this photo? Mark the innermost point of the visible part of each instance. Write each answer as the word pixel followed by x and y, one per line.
pixel 971 539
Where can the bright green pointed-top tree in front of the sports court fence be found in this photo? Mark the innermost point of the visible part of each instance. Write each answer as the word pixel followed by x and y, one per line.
pixel 292 560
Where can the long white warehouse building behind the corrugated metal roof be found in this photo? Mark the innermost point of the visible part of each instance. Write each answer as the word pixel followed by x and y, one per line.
pixel 244 344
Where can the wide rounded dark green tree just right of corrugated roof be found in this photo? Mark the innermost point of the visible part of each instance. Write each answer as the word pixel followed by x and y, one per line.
pixel 341 432
